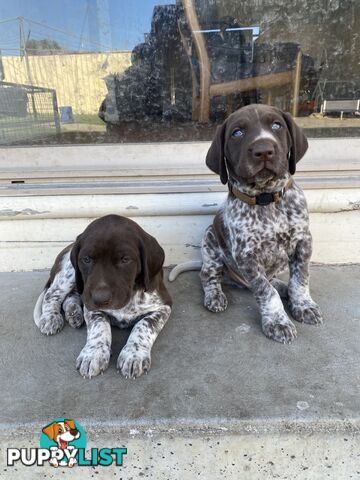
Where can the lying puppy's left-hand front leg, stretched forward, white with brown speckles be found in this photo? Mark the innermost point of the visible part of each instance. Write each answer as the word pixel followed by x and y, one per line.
pixel 94 357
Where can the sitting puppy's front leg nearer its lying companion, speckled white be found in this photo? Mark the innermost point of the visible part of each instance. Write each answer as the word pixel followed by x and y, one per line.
pixel 274 320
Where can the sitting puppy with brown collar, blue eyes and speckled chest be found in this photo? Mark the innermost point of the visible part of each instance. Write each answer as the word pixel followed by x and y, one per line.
pixel 264 225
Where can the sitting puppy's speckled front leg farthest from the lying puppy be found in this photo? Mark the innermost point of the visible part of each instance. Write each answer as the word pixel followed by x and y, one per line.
pixel 301 305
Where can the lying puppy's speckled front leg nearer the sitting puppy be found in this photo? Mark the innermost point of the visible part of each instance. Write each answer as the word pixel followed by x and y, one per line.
pixel 135 357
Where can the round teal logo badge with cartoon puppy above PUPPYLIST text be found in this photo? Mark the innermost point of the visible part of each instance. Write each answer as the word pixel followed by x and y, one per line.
pixel 61 438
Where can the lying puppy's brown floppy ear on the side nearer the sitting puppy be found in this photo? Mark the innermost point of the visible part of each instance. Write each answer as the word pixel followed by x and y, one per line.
pixel 151 257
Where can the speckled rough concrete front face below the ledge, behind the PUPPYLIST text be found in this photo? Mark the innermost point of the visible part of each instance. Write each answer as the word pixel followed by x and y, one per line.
pixel 219 457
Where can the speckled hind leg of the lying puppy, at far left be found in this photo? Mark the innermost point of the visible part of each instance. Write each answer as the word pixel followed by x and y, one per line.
pixel 51 320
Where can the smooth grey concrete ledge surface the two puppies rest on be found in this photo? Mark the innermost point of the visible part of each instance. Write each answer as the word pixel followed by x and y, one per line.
pixel 206 368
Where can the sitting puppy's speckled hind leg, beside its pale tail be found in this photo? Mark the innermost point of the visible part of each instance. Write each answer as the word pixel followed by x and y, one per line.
pixel 212 272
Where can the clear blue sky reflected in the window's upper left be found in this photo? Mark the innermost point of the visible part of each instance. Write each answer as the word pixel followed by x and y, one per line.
pixel 77 25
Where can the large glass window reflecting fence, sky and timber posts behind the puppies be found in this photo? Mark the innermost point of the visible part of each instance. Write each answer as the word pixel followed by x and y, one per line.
pixel 96 71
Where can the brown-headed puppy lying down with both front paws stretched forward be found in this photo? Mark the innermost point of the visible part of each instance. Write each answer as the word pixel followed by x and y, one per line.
pixel 116 267
